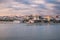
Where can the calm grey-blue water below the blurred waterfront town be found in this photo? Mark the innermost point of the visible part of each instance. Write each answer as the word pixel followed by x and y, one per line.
pixel 24 31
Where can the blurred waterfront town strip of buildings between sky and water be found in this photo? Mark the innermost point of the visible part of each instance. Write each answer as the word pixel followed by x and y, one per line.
pixel 32 19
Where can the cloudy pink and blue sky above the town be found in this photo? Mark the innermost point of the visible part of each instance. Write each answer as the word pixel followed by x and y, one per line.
pixel 22 7
